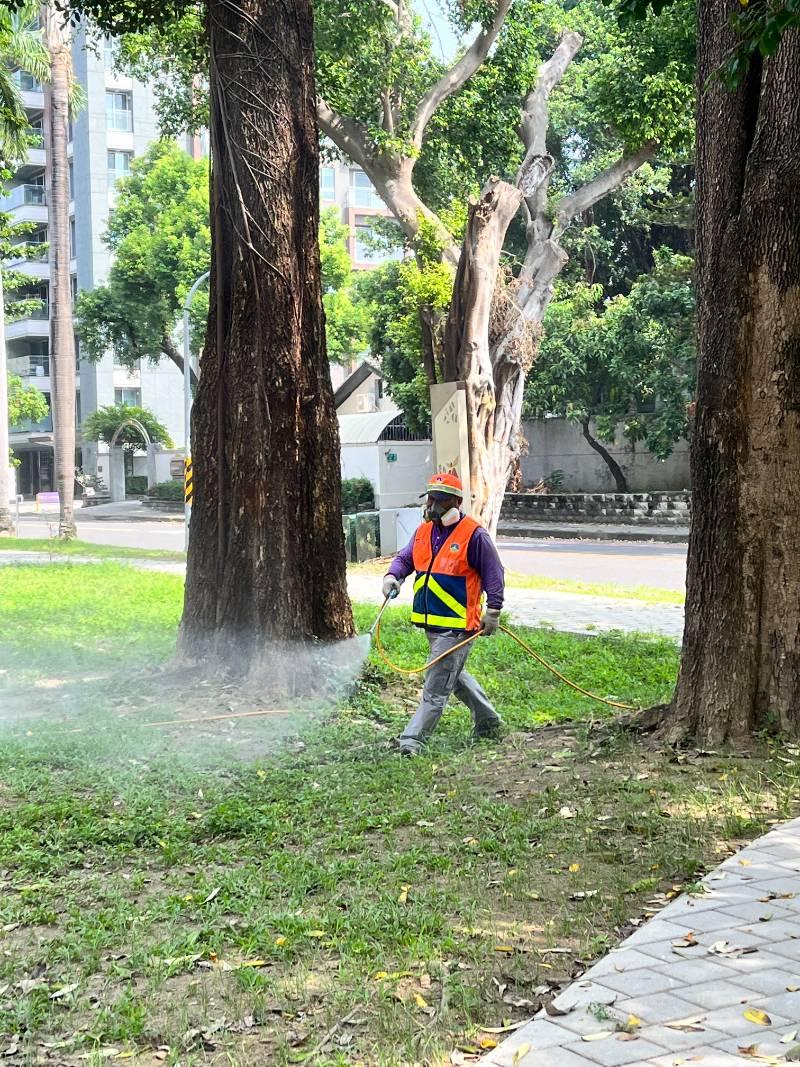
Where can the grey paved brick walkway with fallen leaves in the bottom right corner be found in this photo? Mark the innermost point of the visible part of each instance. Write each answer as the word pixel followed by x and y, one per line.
pixel 691 999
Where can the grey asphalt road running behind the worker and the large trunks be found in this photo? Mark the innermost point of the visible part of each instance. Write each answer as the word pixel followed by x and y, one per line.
pixel 621 563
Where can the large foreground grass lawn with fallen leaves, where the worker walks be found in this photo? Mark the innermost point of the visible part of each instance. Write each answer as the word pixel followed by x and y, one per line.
pixel 174 897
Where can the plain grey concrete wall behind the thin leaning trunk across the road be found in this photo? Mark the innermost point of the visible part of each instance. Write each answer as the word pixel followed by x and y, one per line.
pixel 556 444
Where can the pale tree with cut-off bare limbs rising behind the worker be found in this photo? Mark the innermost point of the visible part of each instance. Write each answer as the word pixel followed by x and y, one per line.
pixel 491 335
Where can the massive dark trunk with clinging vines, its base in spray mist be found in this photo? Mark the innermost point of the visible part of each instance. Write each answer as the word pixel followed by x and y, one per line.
pixel 267 548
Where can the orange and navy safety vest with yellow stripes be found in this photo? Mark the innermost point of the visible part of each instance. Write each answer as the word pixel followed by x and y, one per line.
pixel 449 593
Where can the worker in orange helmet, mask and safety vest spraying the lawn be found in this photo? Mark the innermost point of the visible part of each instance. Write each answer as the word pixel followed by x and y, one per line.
pixel 456 564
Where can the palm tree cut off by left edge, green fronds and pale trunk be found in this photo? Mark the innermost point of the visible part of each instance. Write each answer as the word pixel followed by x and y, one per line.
pixel 22 49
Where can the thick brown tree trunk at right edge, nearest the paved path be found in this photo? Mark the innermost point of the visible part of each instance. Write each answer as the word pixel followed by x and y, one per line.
pixel 741 664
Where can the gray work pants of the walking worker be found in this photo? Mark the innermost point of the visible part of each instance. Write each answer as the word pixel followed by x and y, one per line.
pixel 442 680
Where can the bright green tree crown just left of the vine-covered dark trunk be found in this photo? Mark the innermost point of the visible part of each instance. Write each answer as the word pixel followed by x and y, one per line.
pixel 161 237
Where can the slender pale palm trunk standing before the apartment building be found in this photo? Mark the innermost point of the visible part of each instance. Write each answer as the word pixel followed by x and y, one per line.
pixel 62 331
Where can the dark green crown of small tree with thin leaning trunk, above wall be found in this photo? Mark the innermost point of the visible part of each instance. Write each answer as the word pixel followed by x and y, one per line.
pixel 630 362
